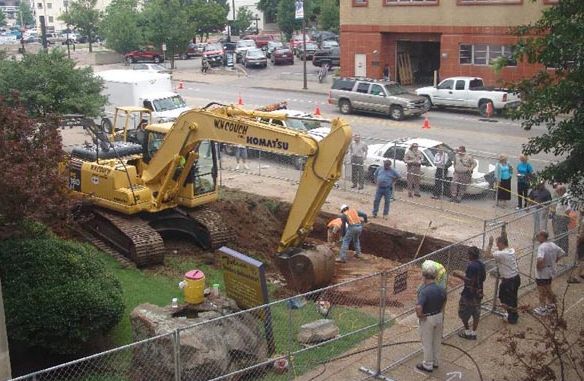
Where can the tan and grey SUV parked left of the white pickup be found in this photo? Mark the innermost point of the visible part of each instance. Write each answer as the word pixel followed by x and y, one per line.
pixel 375 96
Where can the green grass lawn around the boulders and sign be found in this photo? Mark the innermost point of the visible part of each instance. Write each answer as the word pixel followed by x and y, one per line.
pixel 159 287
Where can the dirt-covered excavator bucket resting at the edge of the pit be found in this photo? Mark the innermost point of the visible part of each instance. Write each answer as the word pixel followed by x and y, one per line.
pixel 307 268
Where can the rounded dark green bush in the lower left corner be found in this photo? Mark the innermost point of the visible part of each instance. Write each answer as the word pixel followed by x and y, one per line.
pixel 57 294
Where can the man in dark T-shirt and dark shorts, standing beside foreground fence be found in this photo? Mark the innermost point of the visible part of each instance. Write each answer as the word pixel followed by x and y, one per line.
pixel 472 293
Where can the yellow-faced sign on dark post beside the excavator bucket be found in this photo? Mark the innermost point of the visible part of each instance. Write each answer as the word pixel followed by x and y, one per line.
pixel 245 282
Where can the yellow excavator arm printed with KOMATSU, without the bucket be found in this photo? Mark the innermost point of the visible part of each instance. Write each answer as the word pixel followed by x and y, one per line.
pixel 232 125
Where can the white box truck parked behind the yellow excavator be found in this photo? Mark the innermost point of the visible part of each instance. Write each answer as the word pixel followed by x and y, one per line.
pixel 140 89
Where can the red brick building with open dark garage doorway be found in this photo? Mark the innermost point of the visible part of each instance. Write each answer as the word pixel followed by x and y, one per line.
pixel 452 37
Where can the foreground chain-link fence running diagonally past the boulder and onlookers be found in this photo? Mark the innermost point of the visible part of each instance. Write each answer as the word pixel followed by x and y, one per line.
pixel 371 316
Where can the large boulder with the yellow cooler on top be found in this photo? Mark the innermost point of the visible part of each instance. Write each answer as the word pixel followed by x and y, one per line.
pixel 207 350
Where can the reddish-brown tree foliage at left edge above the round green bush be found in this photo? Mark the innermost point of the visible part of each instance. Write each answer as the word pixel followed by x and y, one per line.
pixel 30 153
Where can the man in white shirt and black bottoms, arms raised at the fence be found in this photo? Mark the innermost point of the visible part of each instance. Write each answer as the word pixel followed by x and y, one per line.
pixel 508 274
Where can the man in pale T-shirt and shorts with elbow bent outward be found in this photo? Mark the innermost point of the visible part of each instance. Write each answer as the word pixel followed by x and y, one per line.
pixel 548 254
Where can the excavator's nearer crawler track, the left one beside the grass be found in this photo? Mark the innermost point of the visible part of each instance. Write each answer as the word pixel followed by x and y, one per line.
pixel 131 236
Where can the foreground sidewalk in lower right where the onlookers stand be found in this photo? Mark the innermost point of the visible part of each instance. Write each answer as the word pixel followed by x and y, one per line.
pixel 487 351
